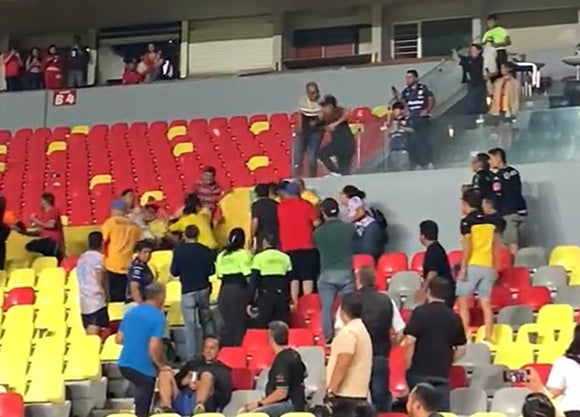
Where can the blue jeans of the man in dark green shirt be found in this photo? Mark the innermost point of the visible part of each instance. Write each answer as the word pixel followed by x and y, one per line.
pixel 330 284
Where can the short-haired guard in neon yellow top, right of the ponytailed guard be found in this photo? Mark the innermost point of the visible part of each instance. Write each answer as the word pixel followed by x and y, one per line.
pixel 269 285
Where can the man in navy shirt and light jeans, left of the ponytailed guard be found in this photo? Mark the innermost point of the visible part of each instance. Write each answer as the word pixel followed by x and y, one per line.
pixel 193 263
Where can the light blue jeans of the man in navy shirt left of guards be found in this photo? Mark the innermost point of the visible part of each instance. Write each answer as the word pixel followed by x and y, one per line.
pixel 196 314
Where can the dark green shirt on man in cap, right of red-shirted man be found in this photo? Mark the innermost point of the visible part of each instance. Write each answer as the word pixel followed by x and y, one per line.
pixel 334 240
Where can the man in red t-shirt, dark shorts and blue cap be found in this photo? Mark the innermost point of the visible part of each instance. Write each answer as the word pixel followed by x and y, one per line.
pixel 297 219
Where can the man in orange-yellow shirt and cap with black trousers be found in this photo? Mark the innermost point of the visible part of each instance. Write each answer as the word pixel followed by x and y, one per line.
pixel 120 235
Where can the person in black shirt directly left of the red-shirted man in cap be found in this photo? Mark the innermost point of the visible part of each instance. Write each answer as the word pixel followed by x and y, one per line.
pixel 264 217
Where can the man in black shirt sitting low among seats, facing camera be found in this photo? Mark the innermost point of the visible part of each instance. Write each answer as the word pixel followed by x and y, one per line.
pixel 203 384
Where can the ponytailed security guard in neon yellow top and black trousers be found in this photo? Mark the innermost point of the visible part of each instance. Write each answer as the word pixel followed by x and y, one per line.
pixel 233 268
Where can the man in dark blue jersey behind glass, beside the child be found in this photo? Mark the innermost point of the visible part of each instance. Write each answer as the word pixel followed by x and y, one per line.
pixel 419 101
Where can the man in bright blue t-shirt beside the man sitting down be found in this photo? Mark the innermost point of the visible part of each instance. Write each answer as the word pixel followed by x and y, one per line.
pixel 142 357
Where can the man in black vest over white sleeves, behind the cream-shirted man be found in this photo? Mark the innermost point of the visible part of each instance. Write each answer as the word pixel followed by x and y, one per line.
pixel 379 314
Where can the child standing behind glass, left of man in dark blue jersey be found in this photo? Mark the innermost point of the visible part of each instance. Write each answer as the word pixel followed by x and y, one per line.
pixel 400 133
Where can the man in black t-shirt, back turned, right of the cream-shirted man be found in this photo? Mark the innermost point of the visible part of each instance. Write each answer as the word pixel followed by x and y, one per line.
pixel 434 339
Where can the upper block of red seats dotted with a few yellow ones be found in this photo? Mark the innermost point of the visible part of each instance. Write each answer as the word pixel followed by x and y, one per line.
pixel 84 167
